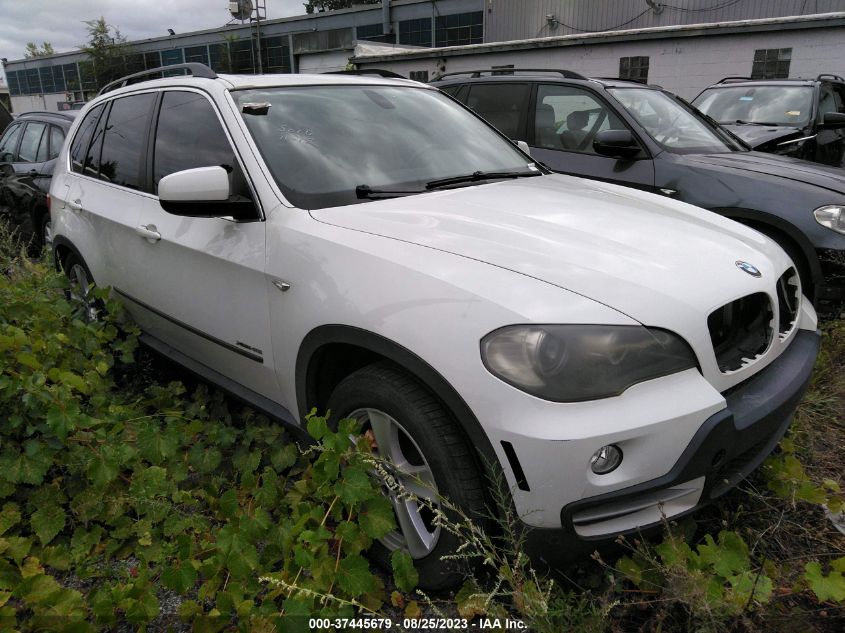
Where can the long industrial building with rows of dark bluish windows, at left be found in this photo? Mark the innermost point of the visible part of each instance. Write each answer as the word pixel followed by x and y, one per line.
pixel 317 42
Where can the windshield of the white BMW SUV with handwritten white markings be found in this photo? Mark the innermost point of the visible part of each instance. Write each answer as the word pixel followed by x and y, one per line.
pixel 338 145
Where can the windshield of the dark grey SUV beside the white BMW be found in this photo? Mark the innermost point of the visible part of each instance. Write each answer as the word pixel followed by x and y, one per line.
pixel 673 126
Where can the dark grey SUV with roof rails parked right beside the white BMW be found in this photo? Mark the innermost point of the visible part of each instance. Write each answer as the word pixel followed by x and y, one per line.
pixel 645 137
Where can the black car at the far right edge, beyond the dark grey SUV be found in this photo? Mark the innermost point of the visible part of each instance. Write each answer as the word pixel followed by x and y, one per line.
pixel 803 118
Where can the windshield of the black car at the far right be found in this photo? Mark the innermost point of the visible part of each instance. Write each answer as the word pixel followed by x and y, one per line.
pixel 764 105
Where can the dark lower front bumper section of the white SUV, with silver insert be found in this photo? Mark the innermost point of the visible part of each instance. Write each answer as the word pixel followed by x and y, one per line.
pixel 726 449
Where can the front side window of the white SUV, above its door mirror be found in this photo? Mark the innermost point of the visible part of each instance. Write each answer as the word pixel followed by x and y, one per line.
pixel 189 135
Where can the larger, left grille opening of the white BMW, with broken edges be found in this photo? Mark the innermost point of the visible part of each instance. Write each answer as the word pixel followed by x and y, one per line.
pixel 741 330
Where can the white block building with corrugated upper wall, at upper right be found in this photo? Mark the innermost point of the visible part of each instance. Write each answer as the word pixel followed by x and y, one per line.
pixel 683 46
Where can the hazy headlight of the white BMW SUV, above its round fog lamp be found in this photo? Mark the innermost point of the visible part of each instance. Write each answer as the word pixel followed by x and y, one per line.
pixel 571 363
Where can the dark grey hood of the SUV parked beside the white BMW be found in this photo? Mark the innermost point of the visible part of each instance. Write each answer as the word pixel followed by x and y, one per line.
pixel 771 165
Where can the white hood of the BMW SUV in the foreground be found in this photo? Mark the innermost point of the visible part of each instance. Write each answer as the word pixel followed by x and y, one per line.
pixel 656 260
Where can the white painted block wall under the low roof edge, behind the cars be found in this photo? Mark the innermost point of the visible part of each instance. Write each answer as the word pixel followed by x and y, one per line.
pixel 684 66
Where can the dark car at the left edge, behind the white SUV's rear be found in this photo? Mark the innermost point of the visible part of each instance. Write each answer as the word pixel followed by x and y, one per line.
pixel 28 151
